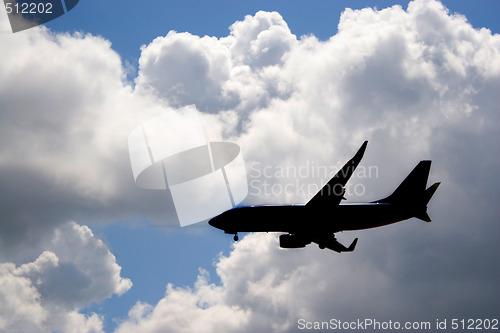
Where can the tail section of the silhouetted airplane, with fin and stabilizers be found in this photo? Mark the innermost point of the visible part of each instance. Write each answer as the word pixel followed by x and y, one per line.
pixel 412 191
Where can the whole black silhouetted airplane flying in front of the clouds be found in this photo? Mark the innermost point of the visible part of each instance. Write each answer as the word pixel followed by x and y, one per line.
pixel 318 220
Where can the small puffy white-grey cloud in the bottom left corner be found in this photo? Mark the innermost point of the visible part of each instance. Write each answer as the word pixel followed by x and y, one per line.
pixel 46 295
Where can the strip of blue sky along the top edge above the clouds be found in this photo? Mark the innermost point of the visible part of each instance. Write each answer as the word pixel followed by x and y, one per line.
pixel 156 18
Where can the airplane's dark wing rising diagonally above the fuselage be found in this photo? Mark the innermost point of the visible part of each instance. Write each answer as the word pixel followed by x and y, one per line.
pixel 332 193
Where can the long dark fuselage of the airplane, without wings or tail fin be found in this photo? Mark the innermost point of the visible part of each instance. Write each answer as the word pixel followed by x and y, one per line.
pixel 299 218
